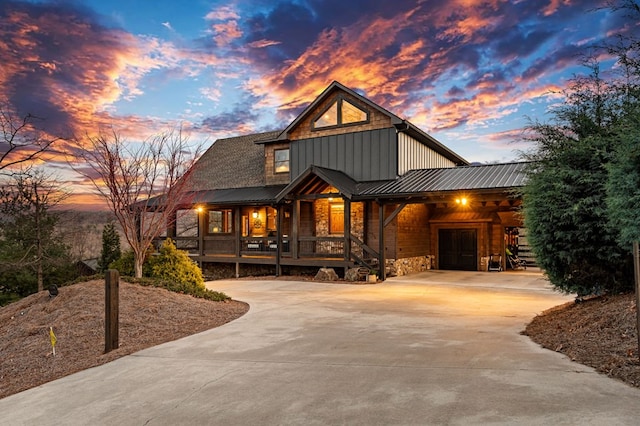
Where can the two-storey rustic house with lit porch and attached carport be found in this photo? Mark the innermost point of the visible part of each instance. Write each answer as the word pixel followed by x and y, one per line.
pixel 347 183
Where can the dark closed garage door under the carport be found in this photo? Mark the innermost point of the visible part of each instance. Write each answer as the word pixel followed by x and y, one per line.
pixel 458 249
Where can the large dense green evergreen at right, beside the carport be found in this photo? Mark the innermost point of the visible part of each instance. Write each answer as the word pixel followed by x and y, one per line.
pixel 582 199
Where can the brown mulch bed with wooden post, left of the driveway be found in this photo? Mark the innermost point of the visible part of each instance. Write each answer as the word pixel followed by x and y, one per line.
pixel 148 316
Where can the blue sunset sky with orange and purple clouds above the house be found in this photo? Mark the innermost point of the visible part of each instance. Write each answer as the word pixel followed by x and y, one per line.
pixel 470 73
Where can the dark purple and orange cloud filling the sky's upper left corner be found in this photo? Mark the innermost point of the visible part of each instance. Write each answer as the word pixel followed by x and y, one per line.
pixel 57 57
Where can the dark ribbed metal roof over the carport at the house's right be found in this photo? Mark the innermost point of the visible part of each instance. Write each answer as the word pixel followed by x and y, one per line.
pixel 489 176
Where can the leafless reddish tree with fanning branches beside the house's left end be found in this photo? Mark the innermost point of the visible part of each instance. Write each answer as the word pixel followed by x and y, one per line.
pixel 144 184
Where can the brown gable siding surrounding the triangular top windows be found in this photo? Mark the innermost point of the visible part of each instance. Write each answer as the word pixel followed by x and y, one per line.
pixel 377 120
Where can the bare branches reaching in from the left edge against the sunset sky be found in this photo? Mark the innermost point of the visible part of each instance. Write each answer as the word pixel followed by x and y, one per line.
pixel 21 141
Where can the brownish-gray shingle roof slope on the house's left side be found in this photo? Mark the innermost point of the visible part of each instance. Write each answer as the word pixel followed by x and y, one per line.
pixel 235 162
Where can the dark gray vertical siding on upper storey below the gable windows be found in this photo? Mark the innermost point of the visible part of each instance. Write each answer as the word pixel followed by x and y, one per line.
pixel 364 156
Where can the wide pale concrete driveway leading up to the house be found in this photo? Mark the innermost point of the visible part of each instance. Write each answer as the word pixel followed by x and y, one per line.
pixel 428 349
